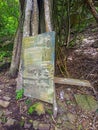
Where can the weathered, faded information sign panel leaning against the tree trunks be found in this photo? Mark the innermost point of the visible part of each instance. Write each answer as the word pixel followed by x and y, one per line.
pixel 38 66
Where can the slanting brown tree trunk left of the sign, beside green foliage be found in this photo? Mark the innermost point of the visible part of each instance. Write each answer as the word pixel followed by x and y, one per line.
pixel 17 46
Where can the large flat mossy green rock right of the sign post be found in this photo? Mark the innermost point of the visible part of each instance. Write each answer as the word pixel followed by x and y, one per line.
pixel 86 102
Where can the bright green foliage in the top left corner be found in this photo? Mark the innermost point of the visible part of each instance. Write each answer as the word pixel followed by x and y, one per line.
pixel 9 14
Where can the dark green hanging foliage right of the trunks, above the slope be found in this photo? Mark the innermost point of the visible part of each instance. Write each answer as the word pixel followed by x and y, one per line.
pixel 70 17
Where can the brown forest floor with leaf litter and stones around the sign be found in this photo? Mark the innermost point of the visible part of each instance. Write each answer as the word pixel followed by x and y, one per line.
pixel 77 106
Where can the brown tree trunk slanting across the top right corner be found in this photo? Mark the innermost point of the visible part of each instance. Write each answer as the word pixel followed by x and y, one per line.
pixel 92 9
